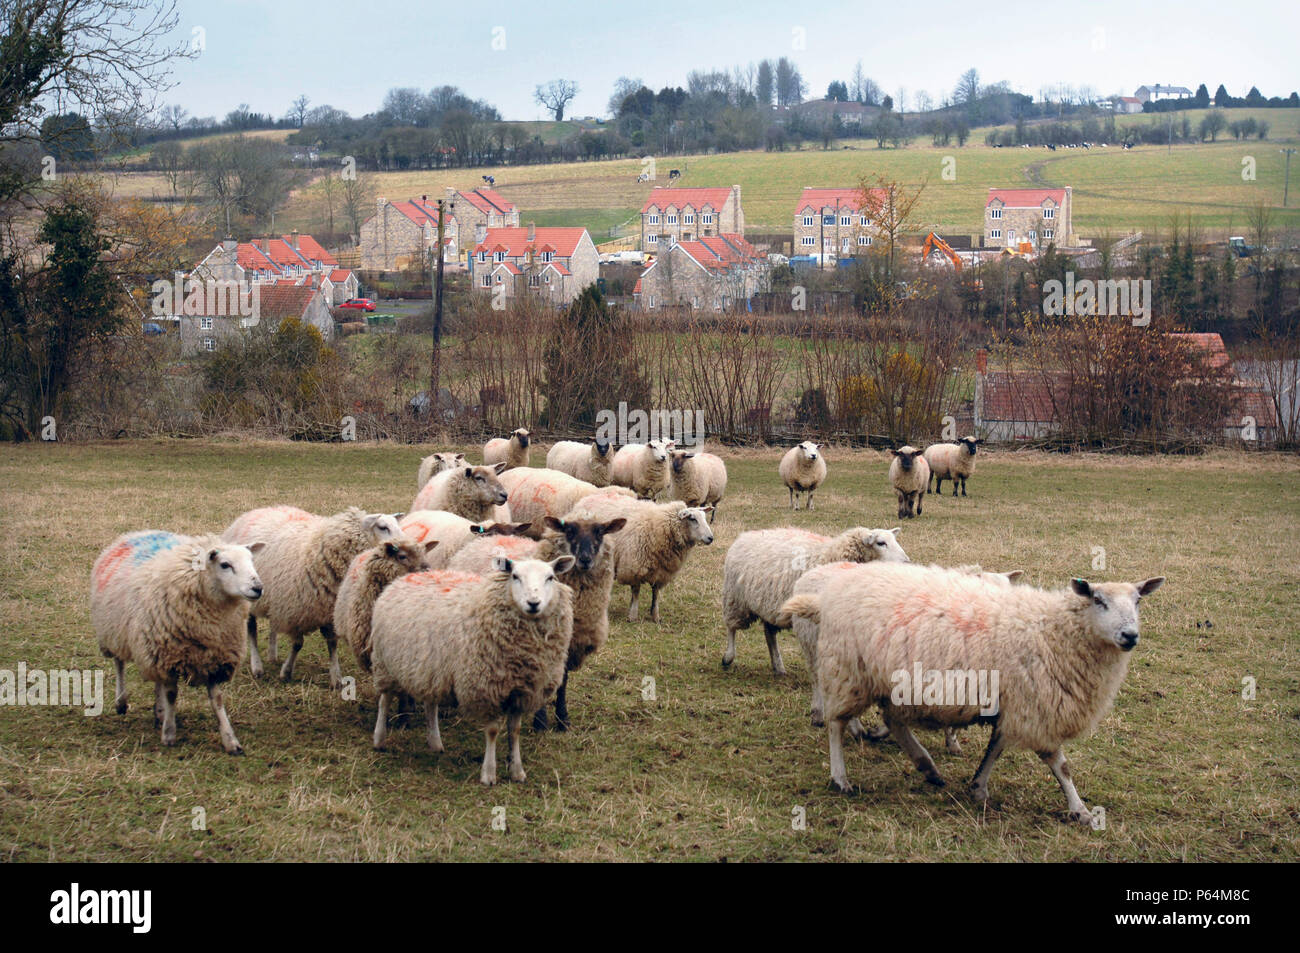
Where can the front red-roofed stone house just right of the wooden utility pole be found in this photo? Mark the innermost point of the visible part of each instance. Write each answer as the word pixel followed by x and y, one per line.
pixel 552 263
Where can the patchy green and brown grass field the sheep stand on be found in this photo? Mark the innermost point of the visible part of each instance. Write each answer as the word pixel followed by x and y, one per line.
pixel 716 766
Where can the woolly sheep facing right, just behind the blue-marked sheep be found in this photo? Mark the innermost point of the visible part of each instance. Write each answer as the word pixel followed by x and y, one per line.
pixel 302 566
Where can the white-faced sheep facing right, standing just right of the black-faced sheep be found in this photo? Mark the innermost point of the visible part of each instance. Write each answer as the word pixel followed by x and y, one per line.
pixel 655 544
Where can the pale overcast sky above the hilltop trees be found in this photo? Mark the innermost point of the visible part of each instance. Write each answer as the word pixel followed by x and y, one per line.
pixel 348 54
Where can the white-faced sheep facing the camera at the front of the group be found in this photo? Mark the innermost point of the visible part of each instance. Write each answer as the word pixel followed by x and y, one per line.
pixel 496 646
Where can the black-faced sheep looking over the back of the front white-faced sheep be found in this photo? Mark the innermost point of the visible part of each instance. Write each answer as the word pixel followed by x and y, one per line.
pixel 592 581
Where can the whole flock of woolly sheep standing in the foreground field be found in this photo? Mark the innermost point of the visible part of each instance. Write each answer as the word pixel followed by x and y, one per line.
pixel 497 584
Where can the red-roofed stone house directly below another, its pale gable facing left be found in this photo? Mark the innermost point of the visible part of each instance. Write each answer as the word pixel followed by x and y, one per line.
pixel 713 274
